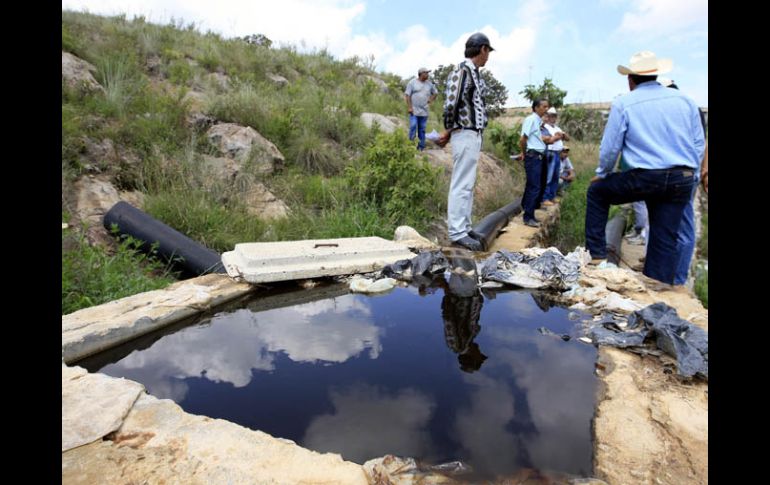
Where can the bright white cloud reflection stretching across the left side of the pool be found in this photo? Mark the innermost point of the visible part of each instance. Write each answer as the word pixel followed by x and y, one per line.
pixel 232 344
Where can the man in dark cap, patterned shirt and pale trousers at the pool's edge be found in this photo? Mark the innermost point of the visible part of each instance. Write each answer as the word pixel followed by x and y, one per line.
pixel 465 117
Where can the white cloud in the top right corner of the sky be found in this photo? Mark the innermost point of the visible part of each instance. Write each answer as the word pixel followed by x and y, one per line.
pixel 655 18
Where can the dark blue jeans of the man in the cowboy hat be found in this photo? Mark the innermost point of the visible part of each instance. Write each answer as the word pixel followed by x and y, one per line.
pixel 666 193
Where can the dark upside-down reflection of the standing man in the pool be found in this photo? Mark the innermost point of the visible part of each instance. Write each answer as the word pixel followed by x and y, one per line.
pixel 461 310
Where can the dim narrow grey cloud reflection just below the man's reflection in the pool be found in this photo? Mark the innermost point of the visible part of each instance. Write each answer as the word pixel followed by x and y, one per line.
pixel 480 428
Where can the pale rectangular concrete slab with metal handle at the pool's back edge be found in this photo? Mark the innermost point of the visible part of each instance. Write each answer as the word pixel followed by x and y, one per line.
pixel 291 260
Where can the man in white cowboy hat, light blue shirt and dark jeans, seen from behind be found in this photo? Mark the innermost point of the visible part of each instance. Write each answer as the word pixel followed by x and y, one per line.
pixel 658 133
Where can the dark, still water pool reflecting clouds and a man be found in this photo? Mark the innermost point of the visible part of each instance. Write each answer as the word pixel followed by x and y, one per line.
pixel 421 373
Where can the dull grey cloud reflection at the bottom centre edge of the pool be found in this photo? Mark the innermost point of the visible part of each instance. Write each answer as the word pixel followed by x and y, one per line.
pixel 368 423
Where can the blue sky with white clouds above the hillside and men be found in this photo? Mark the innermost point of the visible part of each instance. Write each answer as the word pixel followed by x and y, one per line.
pixel 576 43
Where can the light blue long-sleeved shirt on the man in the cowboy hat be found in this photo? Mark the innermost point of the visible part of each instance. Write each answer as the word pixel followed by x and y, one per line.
pixel 652 127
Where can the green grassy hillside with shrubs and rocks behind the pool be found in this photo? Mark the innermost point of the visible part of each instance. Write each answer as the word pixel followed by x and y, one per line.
pixel 157 77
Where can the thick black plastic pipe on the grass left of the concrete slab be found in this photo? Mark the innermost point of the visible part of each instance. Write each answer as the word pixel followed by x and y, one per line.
pixel 186 255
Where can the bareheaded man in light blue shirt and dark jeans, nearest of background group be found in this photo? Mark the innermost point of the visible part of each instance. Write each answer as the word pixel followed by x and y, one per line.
pixel 532 145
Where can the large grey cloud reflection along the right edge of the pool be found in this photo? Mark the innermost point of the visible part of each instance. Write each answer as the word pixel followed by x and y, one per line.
pixel 557 379
